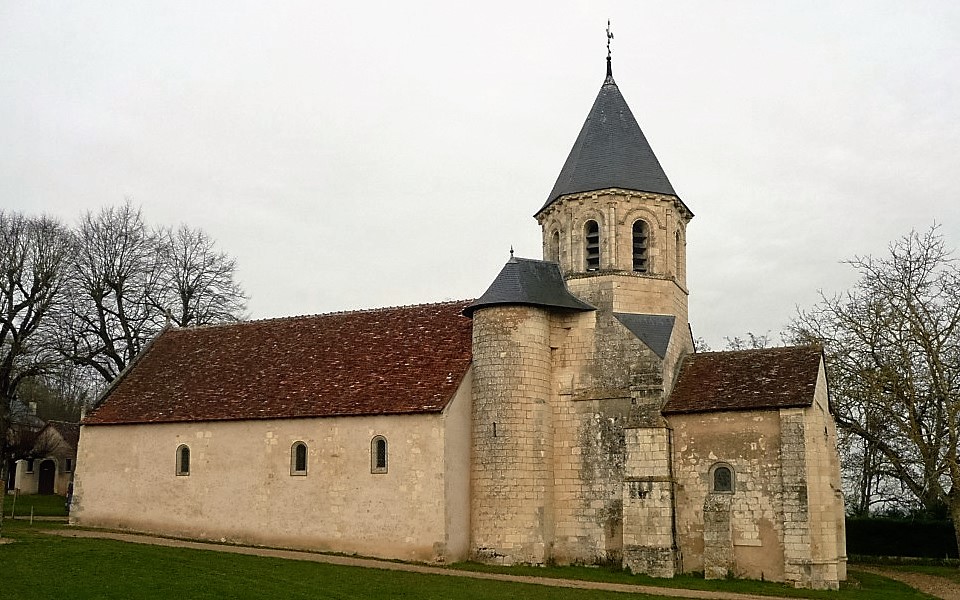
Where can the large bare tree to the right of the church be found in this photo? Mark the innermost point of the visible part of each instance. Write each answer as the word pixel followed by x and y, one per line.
pixel 893 345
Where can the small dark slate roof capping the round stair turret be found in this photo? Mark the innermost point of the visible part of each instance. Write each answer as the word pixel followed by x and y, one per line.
pixel 529 282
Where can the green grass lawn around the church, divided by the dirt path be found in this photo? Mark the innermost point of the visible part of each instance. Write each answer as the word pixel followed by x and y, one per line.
pixel 38 565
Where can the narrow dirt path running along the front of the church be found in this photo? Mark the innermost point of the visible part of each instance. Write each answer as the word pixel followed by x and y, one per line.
pixel 415 568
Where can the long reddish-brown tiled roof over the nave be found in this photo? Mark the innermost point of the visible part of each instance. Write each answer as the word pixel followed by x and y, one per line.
pixel 401 360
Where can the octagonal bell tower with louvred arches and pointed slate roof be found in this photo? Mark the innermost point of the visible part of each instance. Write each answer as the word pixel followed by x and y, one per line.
pixel 613 221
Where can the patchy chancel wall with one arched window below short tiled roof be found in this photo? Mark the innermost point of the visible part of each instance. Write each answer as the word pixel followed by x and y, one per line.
pixel 749 443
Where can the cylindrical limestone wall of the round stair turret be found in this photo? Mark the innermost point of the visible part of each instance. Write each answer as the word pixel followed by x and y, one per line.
pixel 512 515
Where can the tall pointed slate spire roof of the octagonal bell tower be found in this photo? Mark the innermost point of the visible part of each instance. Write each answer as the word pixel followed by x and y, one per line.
pixel 611 151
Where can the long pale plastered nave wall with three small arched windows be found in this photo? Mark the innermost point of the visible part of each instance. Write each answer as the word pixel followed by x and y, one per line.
pixel 240 487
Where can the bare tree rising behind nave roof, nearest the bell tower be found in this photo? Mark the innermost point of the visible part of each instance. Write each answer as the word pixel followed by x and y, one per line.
pixel 196 281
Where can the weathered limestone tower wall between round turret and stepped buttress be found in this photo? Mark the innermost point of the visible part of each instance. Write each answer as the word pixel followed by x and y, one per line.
pixel 595 362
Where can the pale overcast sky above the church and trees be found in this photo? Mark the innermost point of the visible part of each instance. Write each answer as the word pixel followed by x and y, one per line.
pixel 355 155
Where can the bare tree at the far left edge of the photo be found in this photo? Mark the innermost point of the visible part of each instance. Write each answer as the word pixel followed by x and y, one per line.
pixel 33 255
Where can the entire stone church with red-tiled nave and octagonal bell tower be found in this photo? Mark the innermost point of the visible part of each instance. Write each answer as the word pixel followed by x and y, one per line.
pixel 563 416
